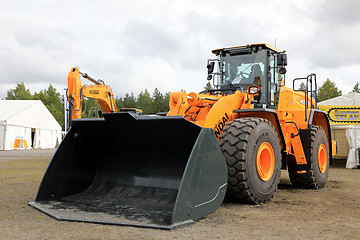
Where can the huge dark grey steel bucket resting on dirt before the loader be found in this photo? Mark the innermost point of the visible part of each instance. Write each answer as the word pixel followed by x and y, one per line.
pixel 146 171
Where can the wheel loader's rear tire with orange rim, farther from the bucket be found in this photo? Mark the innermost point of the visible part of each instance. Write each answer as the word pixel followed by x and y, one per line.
pixel 317 168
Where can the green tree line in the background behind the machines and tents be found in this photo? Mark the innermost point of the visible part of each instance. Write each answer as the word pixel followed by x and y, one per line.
pixel 149 104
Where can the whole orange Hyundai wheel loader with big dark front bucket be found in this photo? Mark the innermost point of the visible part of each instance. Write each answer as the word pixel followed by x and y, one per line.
pixel 168 170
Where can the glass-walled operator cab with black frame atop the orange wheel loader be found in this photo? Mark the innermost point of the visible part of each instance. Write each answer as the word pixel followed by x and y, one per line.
pixel 252 65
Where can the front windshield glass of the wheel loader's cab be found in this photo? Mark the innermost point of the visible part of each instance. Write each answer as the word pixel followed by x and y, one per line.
pixel 243 70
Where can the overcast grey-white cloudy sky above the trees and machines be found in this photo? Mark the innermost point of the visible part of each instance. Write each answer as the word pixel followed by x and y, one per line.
pixel 133 45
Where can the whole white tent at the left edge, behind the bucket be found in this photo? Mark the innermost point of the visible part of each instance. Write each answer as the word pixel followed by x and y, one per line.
pixel 27 124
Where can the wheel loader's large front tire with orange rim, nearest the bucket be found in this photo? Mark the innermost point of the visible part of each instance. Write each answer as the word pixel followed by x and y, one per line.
pixel 252 152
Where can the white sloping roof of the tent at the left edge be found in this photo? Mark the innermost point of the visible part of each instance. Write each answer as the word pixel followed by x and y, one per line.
pixel 27 113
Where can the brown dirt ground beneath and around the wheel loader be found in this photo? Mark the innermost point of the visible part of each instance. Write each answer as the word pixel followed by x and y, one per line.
pixel 329 213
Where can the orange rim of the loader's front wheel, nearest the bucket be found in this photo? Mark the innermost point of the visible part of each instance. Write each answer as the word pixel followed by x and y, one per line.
pixel 265 161
